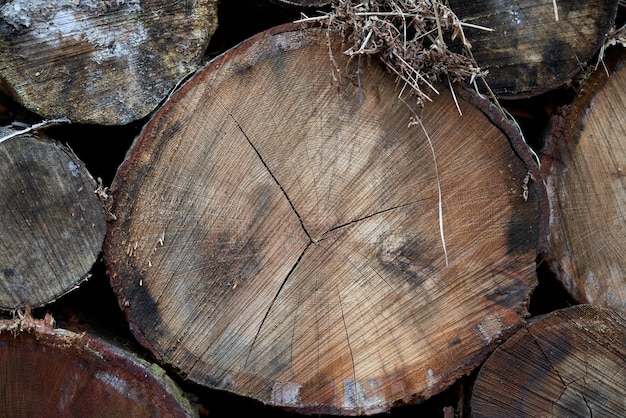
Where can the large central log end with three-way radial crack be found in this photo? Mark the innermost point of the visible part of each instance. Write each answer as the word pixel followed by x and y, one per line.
pixel 299 236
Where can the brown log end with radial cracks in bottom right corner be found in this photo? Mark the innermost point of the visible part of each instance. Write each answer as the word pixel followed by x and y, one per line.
pixel 568 363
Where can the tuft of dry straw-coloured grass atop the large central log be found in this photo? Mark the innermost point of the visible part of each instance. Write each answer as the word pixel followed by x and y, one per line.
pixel 410 37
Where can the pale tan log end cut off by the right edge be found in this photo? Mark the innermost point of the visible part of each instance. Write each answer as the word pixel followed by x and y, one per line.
pixel 584 160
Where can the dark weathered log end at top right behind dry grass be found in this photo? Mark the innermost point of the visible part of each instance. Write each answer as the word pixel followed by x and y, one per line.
pixel 535 45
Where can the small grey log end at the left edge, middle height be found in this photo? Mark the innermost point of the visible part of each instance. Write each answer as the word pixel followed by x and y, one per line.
pixel 53 222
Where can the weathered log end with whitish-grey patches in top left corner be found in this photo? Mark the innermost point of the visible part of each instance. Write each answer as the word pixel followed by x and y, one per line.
pixel 103 62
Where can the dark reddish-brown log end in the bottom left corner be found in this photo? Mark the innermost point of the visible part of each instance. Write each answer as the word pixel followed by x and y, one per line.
pixel 58 373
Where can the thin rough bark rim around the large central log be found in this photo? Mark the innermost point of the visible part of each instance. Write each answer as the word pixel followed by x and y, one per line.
pixel 500 120
